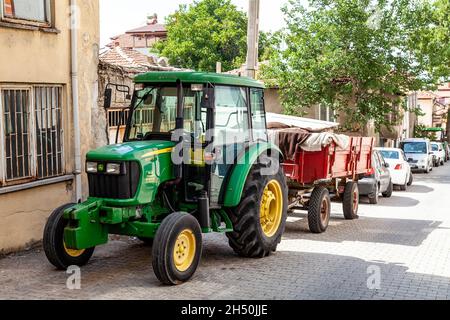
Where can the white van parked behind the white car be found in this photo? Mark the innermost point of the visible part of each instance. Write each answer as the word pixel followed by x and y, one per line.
pixel 419 155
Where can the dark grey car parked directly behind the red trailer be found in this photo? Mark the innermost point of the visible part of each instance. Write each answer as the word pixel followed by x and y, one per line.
pixel 378 182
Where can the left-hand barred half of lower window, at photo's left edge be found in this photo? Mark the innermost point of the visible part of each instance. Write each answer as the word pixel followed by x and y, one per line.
pixel 16 104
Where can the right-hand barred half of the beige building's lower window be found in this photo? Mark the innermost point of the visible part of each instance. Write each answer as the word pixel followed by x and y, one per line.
pixel 49 147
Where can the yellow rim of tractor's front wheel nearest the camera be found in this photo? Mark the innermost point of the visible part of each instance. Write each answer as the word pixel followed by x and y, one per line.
pixel 184 250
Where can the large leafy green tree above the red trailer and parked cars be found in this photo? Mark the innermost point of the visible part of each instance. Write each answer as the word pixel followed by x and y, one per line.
pixel 355 56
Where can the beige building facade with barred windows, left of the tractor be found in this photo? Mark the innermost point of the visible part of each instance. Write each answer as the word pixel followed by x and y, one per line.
pixel 38 126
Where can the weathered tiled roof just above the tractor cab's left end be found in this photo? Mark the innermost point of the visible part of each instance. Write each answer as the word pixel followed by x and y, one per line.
pixel 132 59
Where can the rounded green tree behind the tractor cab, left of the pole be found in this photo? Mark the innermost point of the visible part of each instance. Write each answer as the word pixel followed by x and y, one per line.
pixel 205 32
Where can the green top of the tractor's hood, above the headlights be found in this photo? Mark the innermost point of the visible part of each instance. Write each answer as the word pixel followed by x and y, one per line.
pixel 130 151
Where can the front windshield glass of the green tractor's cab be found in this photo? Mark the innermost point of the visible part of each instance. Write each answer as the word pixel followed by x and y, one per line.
pixel 155 112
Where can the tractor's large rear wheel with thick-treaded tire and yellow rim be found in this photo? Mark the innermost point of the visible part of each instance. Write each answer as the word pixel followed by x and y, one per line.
pixel 260 219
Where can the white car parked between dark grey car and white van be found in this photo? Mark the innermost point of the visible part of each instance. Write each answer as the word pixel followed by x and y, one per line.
pixel 399 167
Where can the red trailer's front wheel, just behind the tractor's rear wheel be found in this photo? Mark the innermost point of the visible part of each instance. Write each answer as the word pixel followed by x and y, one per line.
pixel 319 210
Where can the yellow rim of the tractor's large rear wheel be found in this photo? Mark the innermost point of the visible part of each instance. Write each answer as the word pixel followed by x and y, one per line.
pixel 271 208
